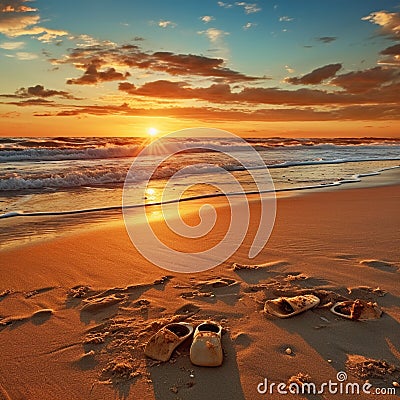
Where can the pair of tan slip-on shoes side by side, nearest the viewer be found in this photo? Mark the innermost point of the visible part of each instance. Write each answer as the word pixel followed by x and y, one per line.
pixel 206 348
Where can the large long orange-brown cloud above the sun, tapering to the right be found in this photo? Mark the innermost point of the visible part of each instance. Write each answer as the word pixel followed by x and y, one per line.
pixel 162 61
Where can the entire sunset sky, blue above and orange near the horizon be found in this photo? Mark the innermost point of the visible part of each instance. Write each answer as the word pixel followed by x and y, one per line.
pixel 285 68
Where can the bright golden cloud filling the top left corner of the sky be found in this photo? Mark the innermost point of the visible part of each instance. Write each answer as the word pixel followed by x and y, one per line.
pixel 17 19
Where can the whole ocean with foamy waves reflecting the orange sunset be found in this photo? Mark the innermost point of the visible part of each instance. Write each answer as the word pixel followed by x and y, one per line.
pixel 48 181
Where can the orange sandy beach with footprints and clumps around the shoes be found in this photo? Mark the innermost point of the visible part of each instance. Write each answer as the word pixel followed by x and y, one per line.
pixel 77 310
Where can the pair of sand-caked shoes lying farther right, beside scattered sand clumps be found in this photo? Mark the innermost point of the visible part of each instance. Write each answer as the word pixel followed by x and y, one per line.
pixel 356 310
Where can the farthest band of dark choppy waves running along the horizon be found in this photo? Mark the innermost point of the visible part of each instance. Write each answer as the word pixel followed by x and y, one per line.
pixel 58 149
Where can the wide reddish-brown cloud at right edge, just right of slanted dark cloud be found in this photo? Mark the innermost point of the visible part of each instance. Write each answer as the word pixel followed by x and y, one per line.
pixel 377 78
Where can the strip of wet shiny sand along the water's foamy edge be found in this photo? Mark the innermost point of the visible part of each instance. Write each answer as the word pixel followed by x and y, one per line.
pixel 43 225
